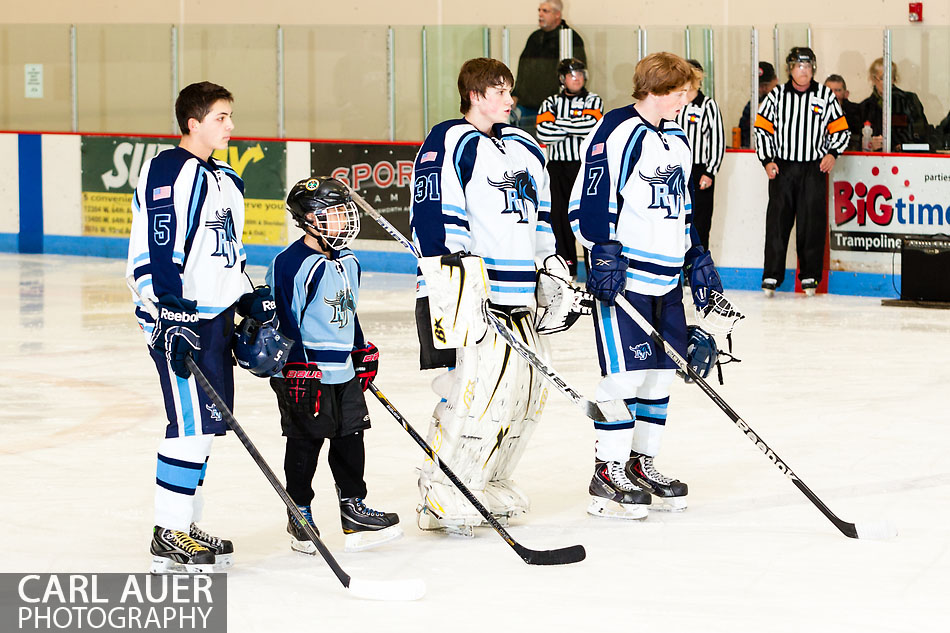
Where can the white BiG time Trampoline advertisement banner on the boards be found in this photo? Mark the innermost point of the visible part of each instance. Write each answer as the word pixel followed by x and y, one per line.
pixel 876 200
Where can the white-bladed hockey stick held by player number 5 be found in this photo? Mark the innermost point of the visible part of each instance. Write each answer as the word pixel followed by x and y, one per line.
pixel 370 589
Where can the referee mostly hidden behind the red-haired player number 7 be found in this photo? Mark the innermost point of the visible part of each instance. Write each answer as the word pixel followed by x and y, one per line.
pixel 702 122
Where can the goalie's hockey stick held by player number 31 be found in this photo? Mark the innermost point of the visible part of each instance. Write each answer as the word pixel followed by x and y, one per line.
pixel 611 410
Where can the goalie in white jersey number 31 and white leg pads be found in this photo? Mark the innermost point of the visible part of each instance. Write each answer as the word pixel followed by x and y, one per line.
pixel 481 209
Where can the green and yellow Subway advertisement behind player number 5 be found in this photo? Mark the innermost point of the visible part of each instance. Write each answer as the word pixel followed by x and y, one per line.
pixel 110 172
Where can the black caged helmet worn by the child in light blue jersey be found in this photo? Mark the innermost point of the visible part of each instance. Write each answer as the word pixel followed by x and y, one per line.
pixel 337 221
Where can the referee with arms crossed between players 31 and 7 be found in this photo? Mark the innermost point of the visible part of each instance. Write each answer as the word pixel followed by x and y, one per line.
pixel 564 121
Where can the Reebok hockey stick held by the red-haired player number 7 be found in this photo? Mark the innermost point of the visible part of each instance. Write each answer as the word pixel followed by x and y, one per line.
pixel 864 529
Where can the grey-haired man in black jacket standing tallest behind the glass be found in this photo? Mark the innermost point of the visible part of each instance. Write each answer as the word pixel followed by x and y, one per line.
pixel 537 66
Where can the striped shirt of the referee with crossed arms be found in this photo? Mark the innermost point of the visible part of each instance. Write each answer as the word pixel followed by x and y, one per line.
pixel 565 121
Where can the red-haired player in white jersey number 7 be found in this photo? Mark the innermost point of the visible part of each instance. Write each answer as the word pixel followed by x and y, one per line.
pixel 632 207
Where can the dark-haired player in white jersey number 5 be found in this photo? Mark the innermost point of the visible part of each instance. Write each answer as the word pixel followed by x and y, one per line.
pixel 186 256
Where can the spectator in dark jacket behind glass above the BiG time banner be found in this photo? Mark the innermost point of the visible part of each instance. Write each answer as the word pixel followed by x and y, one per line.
pixel 908 121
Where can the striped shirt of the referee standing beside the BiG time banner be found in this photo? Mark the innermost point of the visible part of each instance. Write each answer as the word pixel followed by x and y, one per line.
pixel 800 126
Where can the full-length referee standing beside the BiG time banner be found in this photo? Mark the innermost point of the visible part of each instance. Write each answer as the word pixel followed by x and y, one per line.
pixel 799 131
